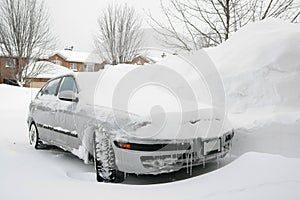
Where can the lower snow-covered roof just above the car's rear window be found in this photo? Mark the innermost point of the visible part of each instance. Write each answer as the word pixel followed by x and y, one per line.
pixel 48 70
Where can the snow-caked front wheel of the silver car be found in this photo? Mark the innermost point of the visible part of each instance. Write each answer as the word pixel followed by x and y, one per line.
pixel 104 160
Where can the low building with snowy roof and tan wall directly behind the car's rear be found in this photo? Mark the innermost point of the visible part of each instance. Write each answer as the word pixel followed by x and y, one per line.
pixel 47 70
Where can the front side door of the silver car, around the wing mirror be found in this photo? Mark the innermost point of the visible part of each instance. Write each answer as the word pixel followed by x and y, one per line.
pixel 65 119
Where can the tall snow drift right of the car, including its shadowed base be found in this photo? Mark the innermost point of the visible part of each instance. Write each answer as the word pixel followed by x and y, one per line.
pixel 260 68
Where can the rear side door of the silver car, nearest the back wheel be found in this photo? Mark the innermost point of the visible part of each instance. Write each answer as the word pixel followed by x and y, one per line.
pixel 45 110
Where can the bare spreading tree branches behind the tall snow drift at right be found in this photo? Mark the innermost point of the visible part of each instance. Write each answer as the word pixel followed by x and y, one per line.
pixel 210 22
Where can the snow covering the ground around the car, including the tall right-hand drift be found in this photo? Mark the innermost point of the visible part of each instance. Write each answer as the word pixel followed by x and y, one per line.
pixel 265 159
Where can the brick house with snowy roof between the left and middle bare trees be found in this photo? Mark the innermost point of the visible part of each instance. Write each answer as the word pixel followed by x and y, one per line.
pixel 77 61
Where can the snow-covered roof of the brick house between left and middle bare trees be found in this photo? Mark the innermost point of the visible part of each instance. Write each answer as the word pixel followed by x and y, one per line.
pixel 76 56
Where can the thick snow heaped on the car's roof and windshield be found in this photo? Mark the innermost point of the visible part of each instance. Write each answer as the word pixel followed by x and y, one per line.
pixel 138 89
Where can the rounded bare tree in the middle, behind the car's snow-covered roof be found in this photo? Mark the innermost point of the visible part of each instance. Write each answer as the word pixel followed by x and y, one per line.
pixel 119 34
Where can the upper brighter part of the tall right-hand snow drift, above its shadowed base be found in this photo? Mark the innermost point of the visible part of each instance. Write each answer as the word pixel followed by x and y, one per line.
pixel 260 67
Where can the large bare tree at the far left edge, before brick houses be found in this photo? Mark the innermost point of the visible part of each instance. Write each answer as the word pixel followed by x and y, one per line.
pixel 25 35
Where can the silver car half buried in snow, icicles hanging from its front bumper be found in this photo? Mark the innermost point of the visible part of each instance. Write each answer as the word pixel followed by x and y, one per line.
pixel 66 113
